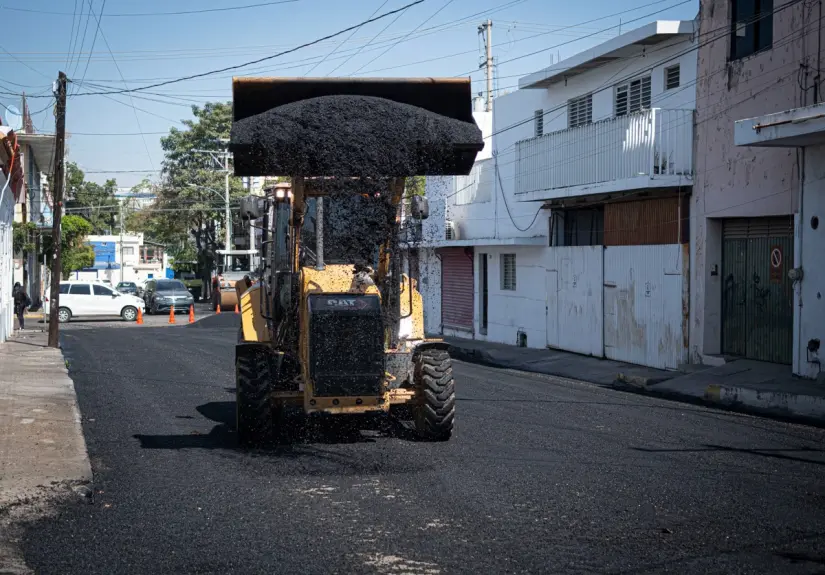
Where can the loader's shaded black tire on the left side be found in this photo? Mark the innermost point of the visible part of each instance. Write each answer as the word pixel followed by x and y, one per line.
pixel 254 414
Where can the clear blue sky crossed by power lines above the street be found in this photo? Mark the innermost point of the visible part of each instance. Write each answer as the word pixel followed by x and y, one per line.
pixel 108 134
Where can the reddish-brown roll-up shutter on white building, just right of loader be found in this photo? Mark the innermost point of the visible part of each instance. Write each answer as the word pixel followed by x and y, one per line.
pixel 456 288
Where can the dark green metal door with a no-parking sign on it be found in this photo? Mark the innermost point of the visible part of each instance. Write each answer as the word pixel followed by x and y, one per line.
pixel 757 296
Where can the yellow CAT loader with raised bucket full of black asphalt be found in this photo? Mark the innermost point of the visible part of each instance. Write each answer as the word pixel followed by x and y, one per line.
pixel 330 323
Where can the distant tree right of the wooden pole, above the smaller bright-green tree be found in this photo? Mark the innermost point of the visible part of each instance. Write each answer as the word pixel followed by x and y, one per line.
pixel 96 203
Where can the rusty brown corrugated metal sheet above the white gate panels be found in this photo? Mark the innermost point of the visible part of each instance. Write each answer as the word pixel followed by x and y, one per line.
pixel 646 222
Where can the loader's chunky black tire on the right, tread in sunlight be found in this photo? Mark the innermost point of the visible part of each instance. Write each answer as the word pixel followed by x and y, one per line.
pixel 434 410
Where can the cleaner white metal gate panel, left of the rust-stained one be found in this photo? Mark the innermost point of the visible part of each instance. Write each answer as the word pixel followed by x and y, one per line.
pixel 574 299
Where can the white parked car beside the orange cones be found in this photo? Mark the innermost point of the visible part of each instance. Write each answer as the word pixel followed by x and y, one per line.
pixel 94 299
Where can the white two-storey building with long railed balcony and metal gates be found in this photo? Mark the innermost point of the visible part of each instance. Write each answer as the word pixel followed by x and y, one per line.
pixel 572 232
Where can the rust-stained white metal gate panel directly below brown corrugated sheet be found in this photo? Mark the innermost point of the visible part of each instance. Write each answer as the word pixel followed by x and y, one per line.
pixel 643 316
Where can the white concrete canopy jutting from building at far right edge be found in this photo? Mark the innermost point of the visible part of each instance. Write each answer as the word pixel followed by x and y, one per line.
pixel 788 129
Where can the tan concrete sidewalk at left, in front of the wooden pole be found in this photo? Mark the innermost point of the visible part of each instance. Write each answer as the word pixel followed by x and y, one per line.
pixel 41 440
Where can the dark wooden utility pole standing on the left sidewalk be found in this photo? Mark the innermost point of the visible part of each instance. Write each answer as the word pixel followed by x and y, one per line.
pixel 57 211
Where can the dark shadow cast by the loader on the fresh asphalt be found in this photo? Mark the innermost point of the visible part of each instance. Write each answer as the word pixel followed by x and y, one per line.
pixel 295 429
